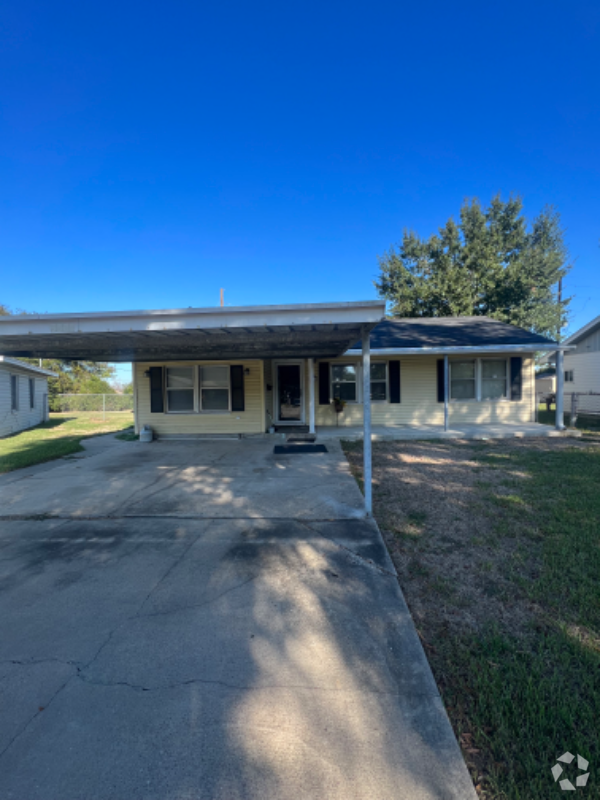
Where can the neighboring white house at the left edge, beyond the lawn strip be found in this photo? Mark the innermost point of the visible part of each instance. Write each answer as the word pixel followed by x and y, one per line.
pixel 23 395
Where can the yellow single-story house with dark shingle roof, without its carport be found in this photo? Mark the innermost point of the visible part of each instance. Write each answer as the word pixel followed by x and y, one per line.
pixel 491 379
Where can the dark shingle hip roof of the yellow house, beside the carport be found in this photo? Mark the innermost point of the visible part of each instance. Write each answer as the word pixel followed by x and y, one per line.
pixel 449 332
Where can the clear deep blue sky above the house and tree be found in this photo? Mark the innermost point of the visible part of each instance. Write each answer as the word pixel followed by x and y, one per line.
pixel 151 153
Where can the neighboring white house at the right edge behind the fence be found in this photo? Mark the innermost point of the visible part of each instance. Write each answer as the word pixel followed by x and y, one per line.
pixel 582 367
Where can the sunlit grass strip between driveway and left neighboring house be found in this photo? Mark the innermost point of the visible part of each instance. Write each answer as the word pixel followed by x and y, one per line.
pixel 60 436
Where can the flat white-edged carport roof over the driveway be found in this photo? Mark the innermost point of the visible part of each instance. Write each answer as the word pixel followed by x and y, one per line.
pixel 317 330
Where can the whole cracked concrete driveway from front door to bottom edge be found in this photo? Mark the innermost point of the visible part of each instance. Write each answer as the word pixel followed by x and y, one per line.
pixel 174 625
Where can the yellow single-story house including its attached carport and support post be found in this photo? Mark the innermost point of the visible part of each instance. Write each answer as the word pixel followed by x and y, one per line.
pixel 222 371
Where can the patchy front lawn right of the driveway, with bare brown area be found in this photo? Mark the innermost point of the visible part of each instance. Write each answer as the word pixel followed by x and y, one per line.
pixel 497 547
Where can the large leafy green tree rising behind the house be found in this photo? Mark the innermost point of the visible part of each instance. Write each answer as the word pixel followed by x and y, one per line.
pixel 493 263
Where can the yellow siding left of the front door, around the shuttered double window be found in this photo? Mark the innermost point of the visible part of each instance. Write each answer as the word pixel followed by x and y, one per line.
pixel 251 420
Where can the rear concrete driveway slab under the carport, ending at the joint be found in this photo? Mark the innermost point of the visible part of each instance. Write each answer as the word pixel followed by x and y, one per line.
pixel 202 478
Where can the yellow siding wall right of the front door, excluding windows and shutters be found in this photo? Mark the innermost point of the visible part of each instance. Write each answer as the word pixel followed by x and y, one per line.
pixel 419 406
